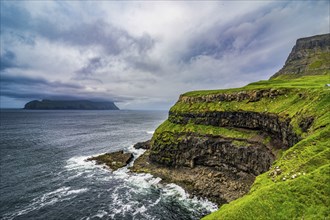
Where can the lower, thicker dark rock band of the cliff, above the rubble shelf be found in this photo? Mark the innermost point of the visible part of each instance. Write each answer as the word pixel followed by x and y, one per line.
pixel 192 150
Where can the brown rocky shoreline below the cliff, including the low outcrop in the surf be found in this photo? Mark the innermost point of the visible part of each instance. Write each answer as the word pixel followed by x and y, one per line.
pixel 217 185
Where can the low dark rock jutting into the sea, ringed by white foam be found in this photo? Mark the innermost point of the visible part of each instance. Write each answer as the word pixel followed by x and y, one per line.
pixel 113 160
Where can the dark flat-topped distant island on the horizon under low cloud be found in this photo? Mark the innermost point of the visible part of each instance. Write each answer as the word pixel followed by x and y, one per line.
pixel 70 105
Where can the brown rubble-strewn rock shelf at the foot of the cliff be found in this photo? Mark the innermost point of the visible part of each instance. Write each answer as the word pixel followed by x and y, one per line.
pixel 201 181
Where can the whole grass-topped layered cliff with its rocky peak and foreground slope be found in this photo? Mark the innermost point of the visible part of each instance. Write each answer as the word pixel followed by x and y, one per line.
pixel 260 151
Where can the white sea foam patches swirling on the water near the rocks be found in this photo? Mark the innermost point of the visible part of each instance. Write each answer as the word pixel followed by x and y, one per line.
pixel 122 200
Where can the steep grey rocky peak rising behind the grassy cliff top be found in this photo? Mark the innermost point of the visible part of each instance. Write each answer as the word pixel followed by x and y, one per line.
pixel 309 56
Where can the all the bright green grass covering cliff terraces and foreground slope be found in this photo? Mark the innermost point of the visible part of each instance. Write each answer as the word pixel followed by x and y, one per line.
pixel 302 189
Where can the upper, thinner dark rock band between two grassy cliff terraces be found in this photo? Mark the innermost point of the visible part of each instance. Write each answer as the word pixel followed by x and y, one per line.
pixel 270 123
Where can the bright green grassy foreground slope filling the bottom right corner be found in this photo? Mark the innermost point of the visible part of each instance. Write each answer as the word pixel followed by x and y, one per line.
pixel 304 197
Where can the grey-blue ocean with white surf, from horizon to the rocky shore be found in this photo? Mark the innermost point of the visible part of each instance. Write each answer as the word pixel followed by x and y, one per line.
pixel 44 173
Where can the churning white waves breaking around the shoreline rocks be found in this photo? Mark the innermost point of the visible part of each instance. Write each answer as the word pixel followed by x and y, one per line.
pixel 125 197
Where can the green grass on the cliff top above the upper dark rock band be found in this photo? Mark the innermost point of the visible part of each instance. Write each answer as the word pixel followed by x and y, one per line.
pixel 301 99
